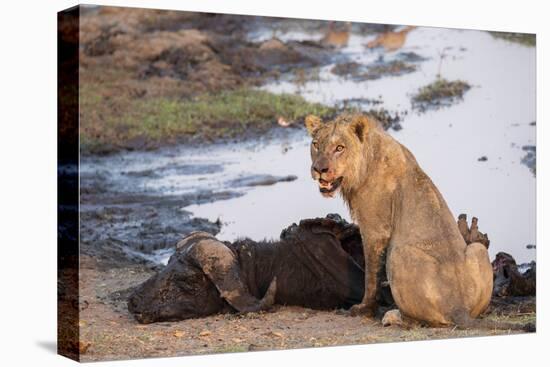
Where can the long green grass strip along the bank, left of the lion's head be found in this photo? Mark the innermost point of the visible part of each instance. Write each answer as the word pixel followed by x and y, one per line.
pixel 118 122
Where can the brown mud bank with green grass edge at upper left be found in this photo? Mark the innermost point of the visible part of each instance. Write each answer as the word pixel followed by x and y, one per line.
pixel 154 78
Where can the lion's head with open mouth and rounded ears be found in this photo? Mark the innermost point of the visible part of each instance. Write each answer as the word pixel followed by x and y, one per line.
pixel 338 152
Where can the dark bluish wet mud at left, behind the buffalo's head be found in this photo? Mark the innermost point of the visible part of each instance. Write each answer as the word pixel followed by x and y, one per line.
pixel 120 223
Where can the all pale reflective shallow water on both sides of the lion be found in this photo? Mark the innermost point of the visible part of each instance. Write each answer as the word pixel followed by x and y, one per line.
pixel 492 120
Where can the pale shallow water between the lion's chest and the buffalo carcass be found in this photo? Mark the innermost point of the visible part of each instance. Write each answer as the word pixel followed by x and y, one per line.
pixel 263 212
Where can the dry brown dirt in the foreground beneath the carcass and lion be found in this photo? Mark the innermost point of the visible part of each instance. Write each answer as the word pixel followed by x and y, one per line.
pixel 109 332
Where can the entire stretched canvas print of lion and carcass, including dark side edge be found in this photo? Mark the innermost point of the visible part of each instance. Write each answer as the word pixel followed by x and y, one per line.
pixel 234 183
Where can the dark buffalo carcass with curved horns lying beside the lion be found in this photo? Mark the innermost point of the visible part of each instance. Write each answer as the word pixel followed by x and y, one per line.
pixel 316 264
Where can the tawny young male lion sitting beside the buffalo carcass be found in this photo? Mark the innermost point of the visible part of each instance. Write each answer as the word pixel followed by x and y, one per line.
pixel 434 276
